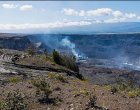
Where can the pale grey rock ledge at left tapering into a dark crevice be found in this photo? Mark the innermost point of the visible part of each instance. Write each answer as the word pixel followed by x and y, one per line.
pixel 8 66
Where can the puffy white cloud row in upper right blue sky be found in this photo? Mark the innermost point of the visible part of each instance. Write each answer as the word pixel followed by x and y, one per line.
pixel 113 15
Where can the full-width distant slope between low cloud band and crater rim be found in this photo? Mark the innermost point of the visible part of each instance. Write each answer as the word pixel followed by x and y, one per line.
pixel 91 28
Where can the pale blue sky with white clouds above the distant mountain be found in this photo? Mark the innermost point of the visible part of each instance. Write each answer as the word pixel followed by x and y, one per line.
pixel 46 14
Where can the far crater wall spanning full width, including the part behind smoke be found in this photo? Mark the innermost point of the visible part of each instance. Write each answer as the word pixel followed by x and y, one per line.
pixel 101 46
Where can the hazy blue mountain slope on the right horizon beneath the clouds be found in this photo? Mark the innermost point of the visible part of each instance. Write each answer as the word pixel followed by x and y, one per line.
pixel 122 27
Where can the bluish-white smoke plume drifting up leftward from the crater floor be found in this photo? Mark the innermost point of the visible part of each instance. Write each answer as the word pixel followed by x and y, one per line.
pixel 58 42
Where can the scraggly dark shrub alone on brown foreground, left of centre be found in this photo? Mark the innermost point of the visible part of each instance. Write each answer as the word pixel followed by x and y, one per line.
pixel 42 88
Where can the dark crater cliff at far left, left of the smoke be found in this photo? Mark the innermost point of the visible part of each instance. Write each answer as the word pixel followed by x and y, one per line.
pixel 17 43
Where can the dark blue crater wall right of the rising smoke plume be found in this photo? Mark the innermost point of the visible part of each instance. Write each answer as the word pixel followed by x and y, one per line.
pixel 107 45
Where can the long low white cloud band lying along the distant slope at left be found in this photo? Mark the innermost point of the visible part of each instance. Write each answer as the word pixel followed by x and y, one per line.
pixel 57 24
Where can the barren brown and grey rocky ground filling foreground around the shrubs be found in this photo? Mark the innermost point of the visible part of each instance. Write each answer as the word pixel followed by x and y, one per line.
pixel 67 92
